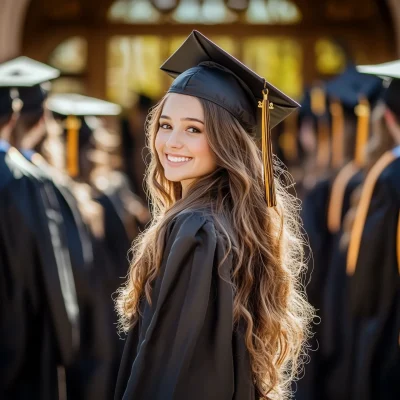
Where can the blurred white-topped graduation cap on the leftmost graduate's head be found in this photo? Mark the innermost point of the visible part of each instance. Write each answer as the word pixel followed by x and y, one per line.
pixel 28 76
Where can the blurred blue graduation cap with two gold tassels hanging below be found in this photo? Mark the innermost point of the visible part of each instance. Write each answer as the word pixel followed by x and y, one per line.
pixel 352 94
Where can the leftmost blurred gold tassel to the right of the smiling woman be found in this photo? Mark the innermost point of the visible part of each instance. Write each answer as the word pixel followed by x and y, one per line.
pixel 318 107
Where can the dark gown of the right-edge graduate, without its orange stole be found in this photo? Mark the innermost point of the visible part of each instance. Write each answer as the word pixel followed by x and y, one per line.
pixel 374 295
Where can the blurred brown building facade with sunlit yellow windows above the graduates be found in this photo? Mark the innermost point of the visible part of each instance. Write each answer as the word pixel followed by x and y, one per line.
pixel 113 49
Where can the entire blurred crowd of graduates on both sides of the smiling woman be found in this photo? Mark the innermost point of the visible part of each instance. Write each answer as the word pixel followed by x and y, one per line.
pixel 72 201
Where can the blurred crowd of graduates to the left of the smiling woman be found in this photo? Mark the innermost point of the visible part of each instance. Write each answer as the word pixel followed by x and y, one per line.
pixel 69 213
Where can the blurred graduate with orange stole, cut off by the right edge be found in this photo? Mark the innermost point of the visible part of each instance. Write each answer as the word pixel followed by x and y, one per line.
pixel 373 256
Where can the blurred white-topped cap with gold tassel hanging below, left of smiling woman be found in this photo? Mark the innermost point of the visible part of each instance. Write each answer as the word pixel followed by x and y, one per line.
pixel 73 106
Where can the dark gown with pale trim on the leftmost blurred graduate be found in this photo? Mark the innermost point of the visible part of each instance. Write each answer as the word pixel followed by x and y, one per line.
pixel 38 303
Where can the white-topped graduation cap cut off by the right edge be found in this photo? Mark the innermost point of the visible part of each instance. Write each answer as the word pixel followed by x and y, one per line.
pixel 390 72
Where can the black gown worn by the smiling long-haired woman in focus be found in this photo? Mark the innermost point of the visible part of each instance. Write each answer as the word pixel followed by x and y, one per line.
pixel 185 345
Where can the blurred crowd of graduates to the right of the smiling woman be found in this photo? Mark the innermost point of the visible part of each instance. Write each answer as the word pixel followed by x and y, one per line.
pixel 349 133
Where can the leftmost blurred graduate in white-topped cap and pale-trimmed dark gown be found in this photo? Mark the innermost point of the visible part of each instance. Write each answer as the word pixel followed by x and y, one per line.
pixel 39 320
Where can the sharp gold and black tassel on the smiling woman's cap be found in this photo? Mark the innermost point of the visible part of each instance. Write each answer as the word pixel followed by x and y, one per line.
pixel 266 147
